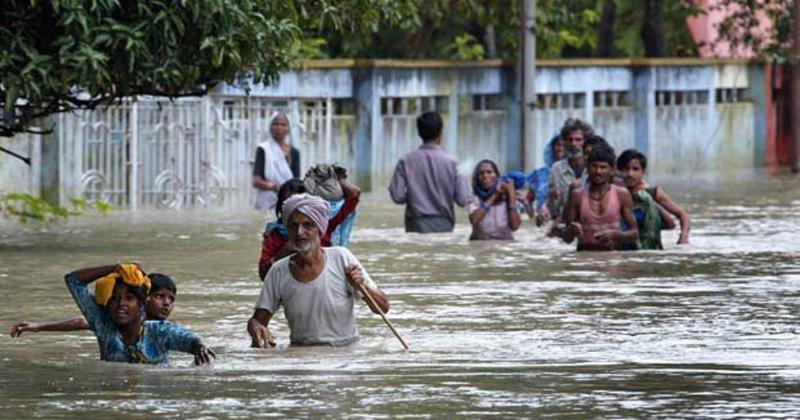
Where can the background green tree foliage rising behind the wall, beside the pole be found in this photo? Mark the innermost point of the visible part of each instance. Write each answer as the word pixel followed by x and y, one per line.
pixel 456 28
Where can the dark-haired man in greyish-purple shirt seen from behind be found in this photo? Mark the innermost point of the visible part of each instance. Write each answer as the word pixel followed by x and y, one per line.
pixel 427 181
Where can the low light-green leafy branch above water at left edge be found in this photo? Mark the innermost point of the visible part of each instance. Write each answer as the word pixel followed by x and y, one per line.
pixel 25 207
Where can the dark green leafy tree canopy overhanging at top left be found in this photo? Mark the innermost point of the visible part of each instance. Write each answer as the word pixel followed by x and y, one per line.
pixel 62 55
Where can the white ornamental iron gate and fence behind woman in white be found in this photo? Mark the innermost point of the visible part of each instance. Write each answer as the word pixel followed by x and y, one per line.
pixel 188 152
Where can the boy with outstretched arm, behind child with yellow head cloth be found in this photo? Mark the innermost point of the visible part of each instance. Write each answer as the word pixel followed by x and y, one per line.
pixel 158 307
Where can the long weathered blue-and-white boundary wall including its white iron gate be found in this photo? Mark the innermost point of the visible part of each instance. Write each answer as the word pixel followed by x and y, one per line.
pixel 704 115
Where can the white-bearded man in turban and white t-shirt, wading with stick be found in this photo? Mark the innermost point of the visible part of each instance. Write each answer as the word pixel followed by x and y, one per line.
pixel 317 287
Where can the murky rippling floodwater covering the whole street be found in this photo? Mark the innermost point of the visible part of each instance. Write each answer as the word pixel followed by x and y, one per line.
pixel 527 328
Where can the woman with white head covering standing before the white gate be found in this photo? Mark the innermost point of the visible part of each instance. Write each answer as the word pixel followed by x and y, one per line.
pixel 277 161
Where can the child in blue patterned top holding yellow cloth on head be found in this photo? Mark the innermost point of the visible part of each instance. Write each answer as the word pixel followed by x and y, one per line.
pixel 115 314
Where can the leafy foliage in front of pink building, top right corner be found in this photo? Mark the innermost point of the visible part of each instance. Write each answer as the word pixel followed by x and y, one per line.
pixel 742 27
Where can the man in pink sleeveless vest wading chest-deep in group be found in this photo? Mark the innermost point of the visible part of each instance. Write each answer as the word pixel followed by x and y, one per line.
pixel 594 213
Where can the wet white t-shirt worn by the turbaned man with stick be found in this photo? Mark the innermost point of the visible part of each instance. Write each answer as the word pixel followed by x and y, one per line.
pixel 320 311
